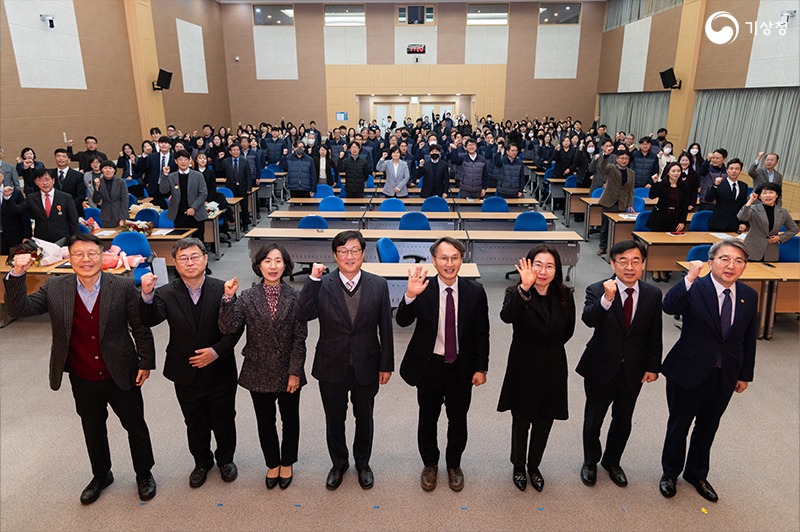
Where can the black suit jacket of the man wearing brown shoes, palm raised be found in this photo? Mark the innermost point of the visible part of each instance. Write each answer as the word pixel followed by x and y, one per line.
pixel 473 330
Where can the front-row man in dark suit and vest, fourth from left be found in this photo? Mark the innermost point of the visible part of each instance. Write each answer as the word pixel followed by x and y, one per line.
pixel 355 352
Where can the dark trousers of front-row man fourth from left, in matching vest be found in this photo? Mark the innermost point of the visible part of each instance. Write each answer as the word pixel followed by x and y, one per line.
pixel 334 402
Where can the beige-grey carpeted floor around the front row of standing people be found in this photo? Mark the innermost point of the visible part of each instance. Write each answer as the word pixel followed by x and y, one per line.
pixel 755 460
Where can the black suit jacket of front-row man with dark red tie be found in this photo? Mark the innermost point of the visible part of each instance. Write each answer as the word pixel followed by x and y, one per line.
pixel 637 349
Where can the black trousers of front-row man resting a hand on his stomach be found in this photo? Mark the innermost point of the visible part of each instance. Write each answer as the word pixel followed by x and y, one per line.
pixel 209 408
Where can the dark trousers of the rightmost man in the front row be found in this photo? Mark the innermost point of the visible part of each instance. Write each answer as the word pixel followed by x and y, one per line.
pixel 704 406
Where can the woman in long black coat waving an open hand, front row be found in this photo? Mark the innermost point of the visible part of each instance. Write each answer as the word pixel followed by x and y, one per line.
pixel 541 310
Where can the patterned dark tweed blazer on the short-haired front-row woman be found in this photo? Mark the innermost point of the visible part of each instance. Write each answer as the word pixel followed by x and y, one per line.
pixel 276 346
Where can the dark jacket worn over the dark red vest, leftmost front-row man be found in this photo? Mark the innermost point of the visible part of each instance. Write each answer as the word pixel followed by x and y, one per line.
pixel 123 355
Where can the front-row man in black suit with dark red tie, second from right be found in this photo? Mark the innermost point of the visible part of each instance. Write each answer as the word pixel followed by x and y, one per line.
pixel 623 353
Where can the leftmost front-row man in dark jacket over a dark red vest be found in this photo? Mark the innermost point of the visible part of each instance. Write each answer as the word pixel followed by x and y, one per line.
pixel 91 313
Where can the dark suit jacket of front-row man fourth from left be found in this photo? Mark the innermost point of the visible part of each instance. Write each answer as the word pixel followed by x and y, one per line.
pixel 367 339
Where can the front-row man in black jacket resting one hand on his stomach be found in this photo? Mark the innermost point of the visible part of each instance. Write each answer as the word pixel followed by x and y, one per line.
pixel 200 359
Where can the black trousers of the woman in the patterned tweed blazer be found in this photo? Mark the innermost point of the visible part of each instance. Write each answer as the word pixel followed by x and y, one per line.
pixel 275 453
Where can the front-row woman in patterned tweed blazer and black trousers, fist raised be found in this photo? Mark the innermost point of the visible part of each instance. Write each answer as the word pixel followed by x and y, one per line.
pixel 274 356
